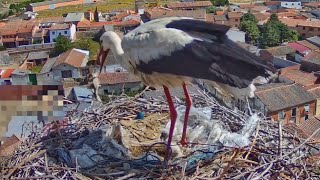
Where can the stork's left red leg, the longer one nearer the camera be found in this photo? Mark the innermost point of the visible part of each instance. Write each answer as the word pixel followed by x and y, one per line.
pixel 173 117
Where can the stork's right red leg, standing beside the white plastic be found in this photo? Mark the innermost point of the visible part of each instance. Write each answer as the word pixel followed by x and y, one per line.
pixel 186 115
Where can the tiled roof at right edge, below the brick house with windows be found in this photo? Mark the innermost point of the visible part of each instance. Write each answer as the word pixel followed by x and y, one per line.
pixel 311 125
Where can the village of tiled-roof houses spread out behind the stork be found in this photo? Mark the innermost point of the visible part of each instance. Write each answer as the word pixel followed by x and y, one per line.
pixel 27 44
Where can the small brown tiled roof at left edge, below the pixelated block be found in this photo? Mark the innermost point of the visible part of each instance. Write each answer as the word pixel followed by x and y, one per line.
pixel 8 146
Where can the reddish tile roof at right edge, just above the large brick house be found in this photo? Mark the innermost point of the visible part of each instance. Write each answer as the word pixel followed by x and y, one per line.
pixel 303 78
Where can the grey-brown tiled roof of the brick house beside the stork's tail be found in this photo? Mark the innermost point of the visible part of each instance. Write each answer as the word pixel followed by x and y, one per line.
pixel 284 96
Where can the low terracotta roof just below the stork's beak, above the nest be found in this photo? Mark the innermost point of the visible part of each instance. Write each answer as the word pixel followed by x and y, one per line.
pixel 117 78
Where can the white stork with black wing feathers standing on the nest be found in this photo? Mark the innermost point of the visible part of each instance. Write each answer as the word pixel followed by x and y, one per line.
pixel 170 52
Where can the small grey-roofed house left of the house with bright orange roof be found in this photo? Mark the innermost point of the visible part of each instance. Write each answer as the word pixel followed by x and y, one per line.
pixel 36 59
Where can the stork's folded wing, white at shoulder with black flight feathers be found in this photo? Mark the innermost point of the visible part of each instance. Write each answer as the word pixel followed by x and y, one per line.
pixel 192 48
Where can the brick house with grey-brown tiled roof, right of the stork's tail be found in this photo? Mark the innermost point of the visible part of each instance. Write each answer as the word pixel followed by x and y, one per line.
pixel 289 102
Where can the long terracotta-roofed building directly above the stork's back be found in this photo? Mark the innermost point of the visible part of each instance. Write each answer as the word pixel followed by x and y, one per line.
pixel 156 13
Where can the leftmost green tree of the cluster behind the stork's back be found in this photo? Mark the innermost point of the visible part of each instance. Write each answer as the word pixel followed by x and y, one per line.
pixel 251 29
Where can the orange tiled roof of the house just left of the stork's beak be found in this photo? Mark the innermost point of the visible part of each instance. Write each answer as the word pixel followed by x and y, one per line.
pixel 72 57
